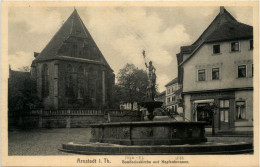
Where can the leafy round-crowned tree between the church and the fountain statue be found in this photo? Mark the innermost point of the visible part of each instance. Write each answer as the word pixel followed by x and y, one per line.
pixel 132 84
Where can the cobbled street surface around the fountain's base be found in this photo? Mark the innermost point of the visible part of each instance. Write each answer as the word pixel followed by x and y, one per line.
pixel 47 141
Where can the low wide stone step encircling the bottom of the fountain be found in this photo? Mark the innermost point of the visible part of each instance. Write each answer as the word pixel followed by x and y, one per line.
pixel 206 148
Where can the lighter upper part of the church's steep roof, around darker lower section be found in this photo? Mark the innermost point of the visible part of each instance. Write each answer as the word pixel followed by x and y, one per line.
pixel 72 27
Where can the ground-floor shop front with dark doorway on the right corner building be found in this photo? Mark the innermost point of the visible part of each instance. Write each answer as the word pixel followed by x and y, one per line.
pixel 220 105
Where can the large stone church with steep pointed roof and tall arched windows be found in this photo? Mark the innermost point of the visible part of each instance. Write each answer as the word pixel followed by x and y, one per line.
pixel 71 71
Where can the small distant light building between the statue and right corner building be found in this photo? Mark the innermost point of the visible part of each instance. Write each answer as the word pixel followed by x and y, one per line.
pixel 173 96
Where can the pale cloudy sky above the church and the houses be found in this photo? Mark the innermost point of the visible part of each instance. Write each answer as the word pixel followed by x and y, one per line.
pixel 121 33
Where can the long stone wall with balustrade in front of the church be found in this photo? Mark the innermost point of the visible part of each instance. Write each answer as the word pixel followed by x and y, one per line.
pixel 76 118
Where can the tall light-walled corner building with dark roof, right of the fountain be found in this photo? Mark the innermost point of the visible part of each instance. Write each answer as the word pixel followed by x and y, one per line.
pixel 217 70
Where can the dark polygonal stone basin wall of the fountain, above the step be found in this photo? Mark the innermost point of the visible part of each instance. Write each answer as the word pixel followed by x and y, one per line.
pixel 149 133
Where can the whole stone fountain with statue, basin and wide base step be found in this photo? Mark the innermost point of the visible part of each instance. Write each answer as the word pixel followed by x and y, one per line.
pixel 150 137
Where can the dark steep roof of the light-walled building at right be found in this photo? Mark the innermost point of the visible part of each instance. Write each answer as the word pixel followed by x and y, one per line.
pixel 223 28
